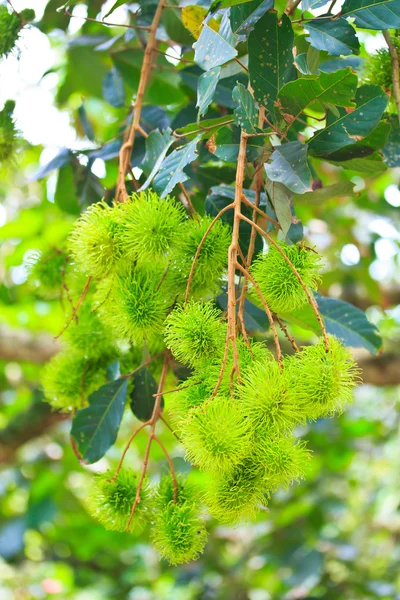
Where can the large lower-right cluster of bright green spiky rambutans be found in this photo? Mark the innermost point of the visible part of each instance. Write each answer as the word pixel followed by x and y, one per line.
pixel 241 432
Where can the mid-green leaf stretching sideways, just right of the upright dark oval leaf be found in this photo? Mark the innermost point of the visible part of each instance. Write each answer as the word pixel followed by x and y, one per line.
pixel 336 88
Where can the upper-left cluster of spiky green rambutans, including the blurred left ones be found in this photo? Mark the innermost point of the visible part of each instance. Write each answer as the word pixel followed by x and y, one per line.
pixel 139 255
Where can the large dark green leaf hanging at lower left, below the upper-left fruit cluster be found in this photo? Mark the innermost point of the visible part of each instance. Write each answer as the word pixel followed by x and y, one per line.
pixel 95 428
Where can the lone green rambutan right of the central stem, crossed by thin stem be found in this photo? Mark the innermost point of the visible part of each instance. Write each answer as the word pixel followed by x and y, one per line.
pixel 276 280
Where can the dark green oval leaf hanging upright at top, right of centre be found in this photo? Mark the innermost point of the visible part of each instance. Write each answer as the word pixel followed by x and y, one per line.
pixel 270 57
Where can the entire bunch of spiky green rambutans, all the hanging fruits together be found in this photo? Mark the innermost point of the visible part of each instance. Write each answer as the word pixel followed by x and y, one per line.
pixel 237 412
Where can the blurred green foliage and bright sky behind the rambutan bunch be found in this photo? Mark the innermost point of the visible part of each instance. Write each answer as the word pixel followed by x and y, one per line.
pixel 335 536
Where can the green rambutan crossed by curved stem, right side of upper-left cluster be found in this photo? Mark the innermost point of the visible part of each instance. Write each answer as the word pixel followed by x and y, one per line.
pixel 211 262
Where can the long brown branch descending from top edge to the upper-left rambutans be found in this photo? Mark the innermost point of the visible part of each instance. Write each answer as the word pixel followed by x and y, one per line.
pixel 126 149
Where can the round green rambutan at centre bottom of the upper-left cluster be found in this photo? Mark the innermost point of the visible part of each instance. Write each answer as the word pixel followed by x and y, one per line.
pixel 135 303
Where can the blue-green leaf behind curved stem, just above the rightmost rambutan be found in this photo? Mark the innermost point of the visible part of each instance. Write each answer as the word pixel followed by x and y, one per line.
pixel 341 319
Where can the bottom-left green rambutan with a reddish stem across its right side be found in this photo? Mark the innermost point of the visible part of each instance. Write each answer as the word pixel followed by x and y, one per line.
pixel 110 501
